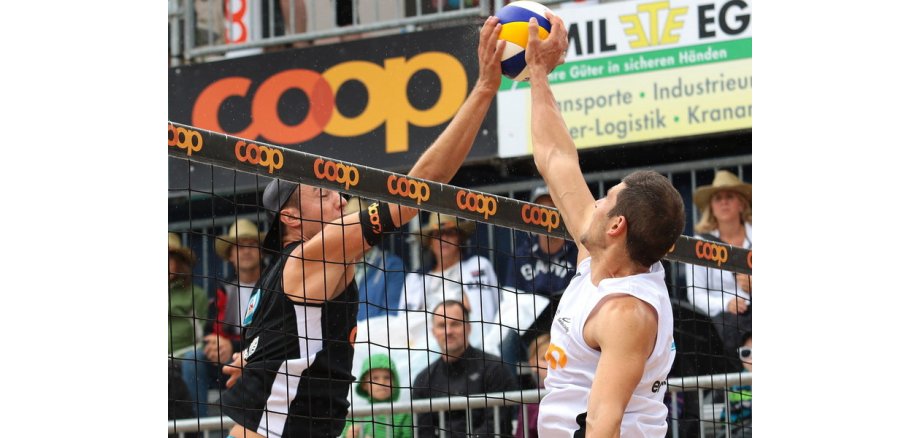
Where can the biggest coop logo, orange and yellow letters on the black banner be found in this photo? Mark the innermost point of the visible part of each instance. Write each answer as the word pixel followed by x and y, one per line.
pixel 388 103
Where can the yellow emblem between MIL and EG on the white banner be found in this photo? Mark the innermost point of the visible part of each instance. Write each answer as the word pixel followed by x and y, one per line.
pixel 659 32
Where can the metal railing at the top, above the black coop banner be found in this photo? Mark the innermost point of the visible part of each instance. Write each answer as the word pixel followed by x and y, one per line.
pixel 205 26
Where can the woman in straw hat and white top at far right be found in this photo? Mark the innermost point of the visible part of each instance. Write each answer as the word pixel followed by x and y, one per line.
pixel 726 217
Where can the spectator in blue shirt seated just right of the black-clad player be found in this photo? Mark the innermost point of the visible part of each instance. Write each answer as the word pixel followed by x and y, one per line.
pixel 379 278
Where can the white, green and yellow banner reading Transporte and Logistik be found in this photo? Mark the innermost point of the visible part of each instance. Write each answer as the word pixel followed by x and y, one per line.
pixel 643 70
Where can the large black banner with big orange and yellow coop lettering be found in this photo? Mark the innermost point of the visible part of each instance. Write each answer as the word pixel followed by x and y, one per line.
pixel 379 102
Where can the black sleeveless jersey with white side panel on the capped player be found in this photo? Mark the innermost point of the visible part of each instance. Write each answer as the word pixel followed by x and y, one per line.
pixel 298 361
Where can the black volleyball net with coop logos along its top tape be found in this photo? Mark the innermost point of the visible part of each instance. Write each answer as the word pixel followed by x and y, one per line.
pixel 515 257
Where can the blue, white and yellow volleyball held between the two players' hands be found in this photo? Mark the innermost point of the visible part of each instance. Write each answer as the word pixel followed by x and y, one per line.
pixel 514 18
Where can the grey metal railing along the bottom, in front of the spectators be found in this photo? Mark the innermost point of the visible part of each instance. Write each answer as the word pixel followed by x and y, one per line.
pixel 708 418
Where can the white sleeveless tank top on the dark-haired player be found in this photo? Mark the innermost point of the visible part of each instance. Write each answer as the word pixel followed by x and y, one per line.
pixel 572 363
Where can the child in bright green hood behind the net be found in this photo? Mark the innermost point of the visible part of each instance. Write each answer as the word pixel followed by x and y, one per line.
pixel 379 383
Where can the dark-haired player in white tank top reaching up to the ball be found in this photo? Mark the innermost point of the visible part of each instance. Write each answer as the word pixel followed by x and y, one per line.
pixel 611 345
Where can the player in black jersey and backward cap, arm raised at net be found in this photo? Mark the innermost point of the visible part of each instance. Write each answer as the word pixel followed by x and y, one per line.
pixel 293 374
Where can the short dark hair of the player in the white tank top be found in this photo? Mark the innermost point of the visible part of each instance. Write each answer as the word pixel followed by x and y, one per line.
pixel 654 214
